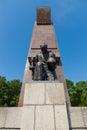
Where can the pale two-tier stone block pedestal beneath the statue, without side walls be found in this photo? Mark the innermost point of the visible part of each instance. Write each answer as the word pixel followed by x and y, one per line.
pixel 44 107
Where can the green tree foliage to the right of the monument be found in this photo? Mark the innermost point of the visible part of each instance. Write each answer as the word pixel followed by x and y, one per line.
pixel 77 92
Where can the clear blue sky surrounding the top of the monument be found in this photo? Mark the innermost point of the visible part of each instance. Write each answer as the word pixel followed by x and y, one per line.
pixel 16 23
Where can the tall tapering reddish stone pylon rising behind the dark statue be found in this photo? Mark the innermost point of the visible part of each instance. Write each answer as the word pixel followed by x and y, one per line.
pixel 43 32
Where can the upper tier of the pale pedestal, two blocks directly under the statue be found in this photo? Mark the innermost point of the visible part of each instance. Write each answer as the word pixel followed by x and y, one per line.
pixel 44 93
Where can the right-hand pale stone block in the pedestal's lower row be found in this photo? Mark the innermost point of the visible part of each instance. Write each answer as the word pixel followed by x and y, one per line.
pixel 61 118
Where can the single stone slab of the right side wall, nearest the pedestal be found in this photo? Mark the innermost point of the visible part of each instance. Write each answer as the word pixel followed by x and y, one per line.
pixel 76 117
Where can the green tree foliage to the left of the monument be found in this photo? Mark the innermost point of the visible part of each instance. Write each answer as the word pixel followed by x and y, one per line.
pixel 9 92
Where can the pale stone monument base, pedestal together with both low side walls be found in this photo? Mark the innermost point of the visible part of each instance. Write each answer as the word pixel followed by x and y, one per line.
pixel 44 108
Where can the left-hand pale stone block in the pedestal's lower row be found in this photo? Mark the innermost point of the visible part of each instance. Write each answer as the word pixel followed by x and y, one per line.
pixel 27 118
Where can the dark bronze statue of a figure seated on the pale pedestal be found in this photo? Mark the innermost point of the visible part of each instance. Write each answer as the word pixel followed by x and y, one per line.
pixel 43 65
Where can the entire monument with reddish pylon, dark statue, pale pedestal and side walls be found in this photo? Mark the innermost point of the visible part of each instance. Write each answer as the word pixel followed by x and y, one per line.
pixel 44 102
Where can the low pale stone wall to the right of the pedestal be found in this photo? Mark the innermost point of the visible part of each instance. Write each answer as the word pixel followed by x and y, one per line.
pixel 78 117
